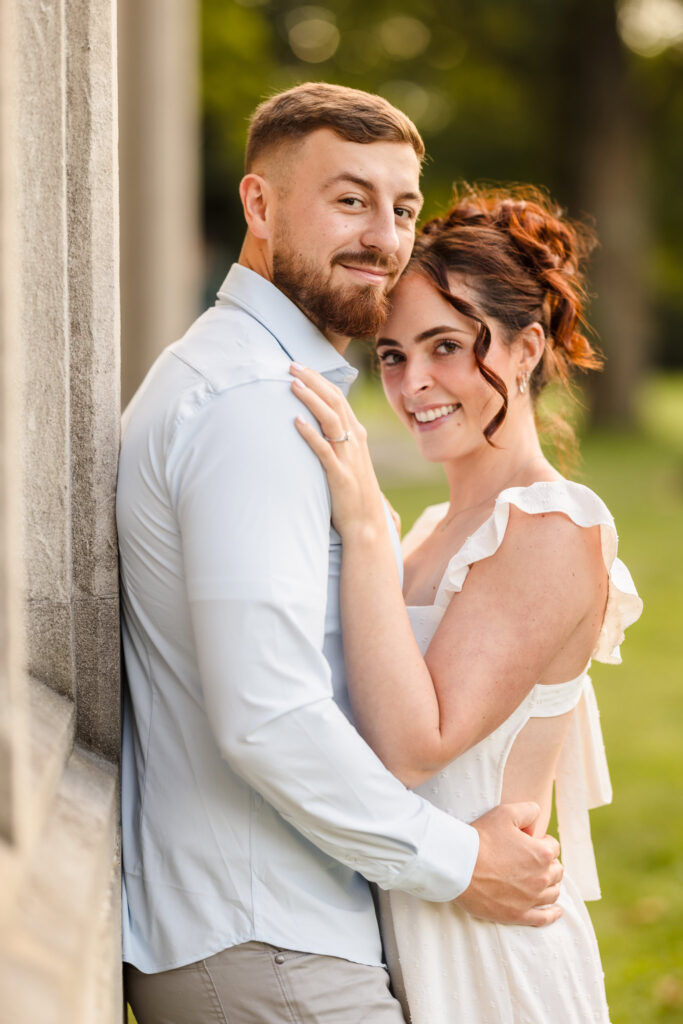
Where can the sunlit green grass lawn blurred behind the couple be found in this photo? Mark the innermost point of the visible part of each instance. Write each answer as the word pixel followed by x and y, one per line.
pixel 639 838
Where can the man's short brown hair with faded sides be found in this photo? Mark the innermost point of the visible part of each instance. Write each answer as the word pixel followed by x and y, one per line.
pixel 357 116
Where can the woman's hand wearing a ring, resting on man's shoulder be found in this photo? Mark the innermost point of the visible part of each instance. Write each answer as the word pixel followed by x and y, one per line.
pixel 357 499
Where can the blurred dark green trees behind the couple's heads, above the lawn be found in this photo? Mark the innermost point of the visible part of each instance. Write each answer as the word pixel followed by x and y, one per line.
pixel 582 97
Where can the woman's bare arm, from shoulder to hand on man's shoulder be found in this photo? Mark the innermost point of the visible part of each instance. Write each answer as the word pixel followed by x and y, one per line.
pixel 497 639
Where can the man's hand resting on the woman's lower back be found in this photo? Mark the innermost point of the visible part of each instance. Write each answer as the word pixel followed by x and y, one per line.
pixel 517 879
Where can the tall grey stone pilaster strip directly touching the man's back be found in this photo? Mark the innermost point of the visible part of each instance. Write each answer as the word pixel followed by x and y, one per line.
pixel 93 261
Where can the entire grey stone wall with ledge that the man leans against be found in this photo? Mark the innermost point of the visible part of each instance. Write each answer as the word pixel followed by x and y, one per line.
pixel 60 694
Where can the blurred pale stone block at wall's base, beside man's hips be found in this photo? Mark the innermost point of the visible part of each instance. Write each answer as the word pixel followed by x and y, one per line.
pixel 51 957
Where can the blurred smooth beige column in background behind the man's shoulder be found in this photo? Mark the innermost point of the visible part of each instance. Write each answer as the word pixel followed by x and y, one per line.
pixel 160 147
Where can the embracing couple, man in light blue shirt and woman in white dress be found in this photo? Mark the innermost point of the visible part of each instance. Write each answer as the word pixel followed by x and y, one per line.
pixel 273 767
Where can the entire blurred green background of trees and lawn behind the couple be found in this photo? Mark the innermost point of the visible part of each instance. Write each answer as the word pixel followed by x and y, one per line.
pixel 586 99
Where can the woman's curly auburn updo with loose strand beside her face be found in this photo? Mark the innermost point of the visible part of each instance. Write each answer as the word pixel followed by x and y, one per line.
pixel 524 260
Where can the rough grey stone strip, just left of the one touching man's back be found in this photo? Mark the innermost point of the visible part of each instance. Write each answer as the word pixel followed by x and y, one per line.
pixel 45 327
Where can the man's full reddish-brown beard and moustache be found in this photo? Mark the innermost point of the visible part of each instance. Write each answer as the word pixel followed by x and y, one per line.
pixel 355 312
